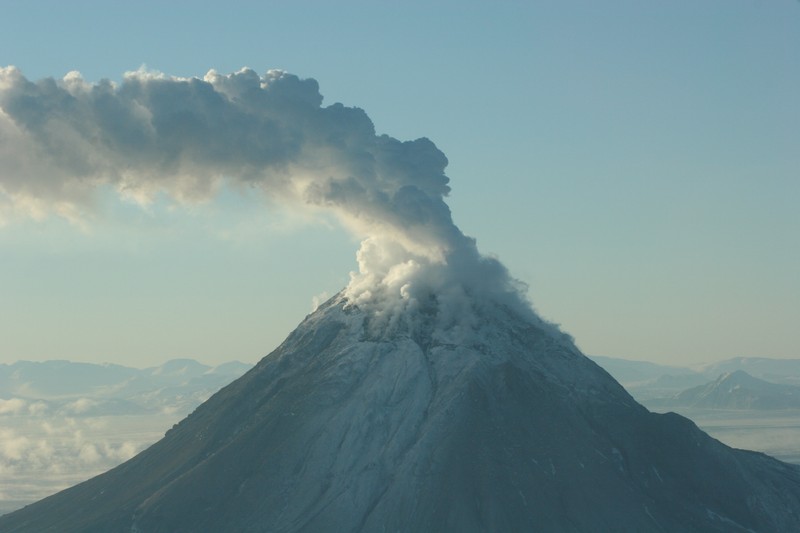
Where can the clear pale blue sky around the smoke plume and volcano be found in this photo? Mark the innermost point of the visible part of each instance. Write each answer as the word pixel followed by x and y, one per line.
pixel 634 163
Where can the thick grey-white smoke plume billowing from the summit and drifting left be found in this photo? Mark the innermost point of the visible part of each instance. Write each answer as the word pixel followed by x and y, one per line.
pixel 61 140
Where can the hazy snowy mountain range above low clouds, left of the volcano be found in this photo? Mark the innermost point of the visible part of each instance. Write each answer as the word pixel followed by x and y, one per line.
pixel 85 389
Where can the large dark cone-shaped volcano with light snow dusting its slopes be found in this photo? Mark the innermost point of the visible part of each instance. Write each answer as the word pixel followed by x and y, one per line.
pixel 353 424
